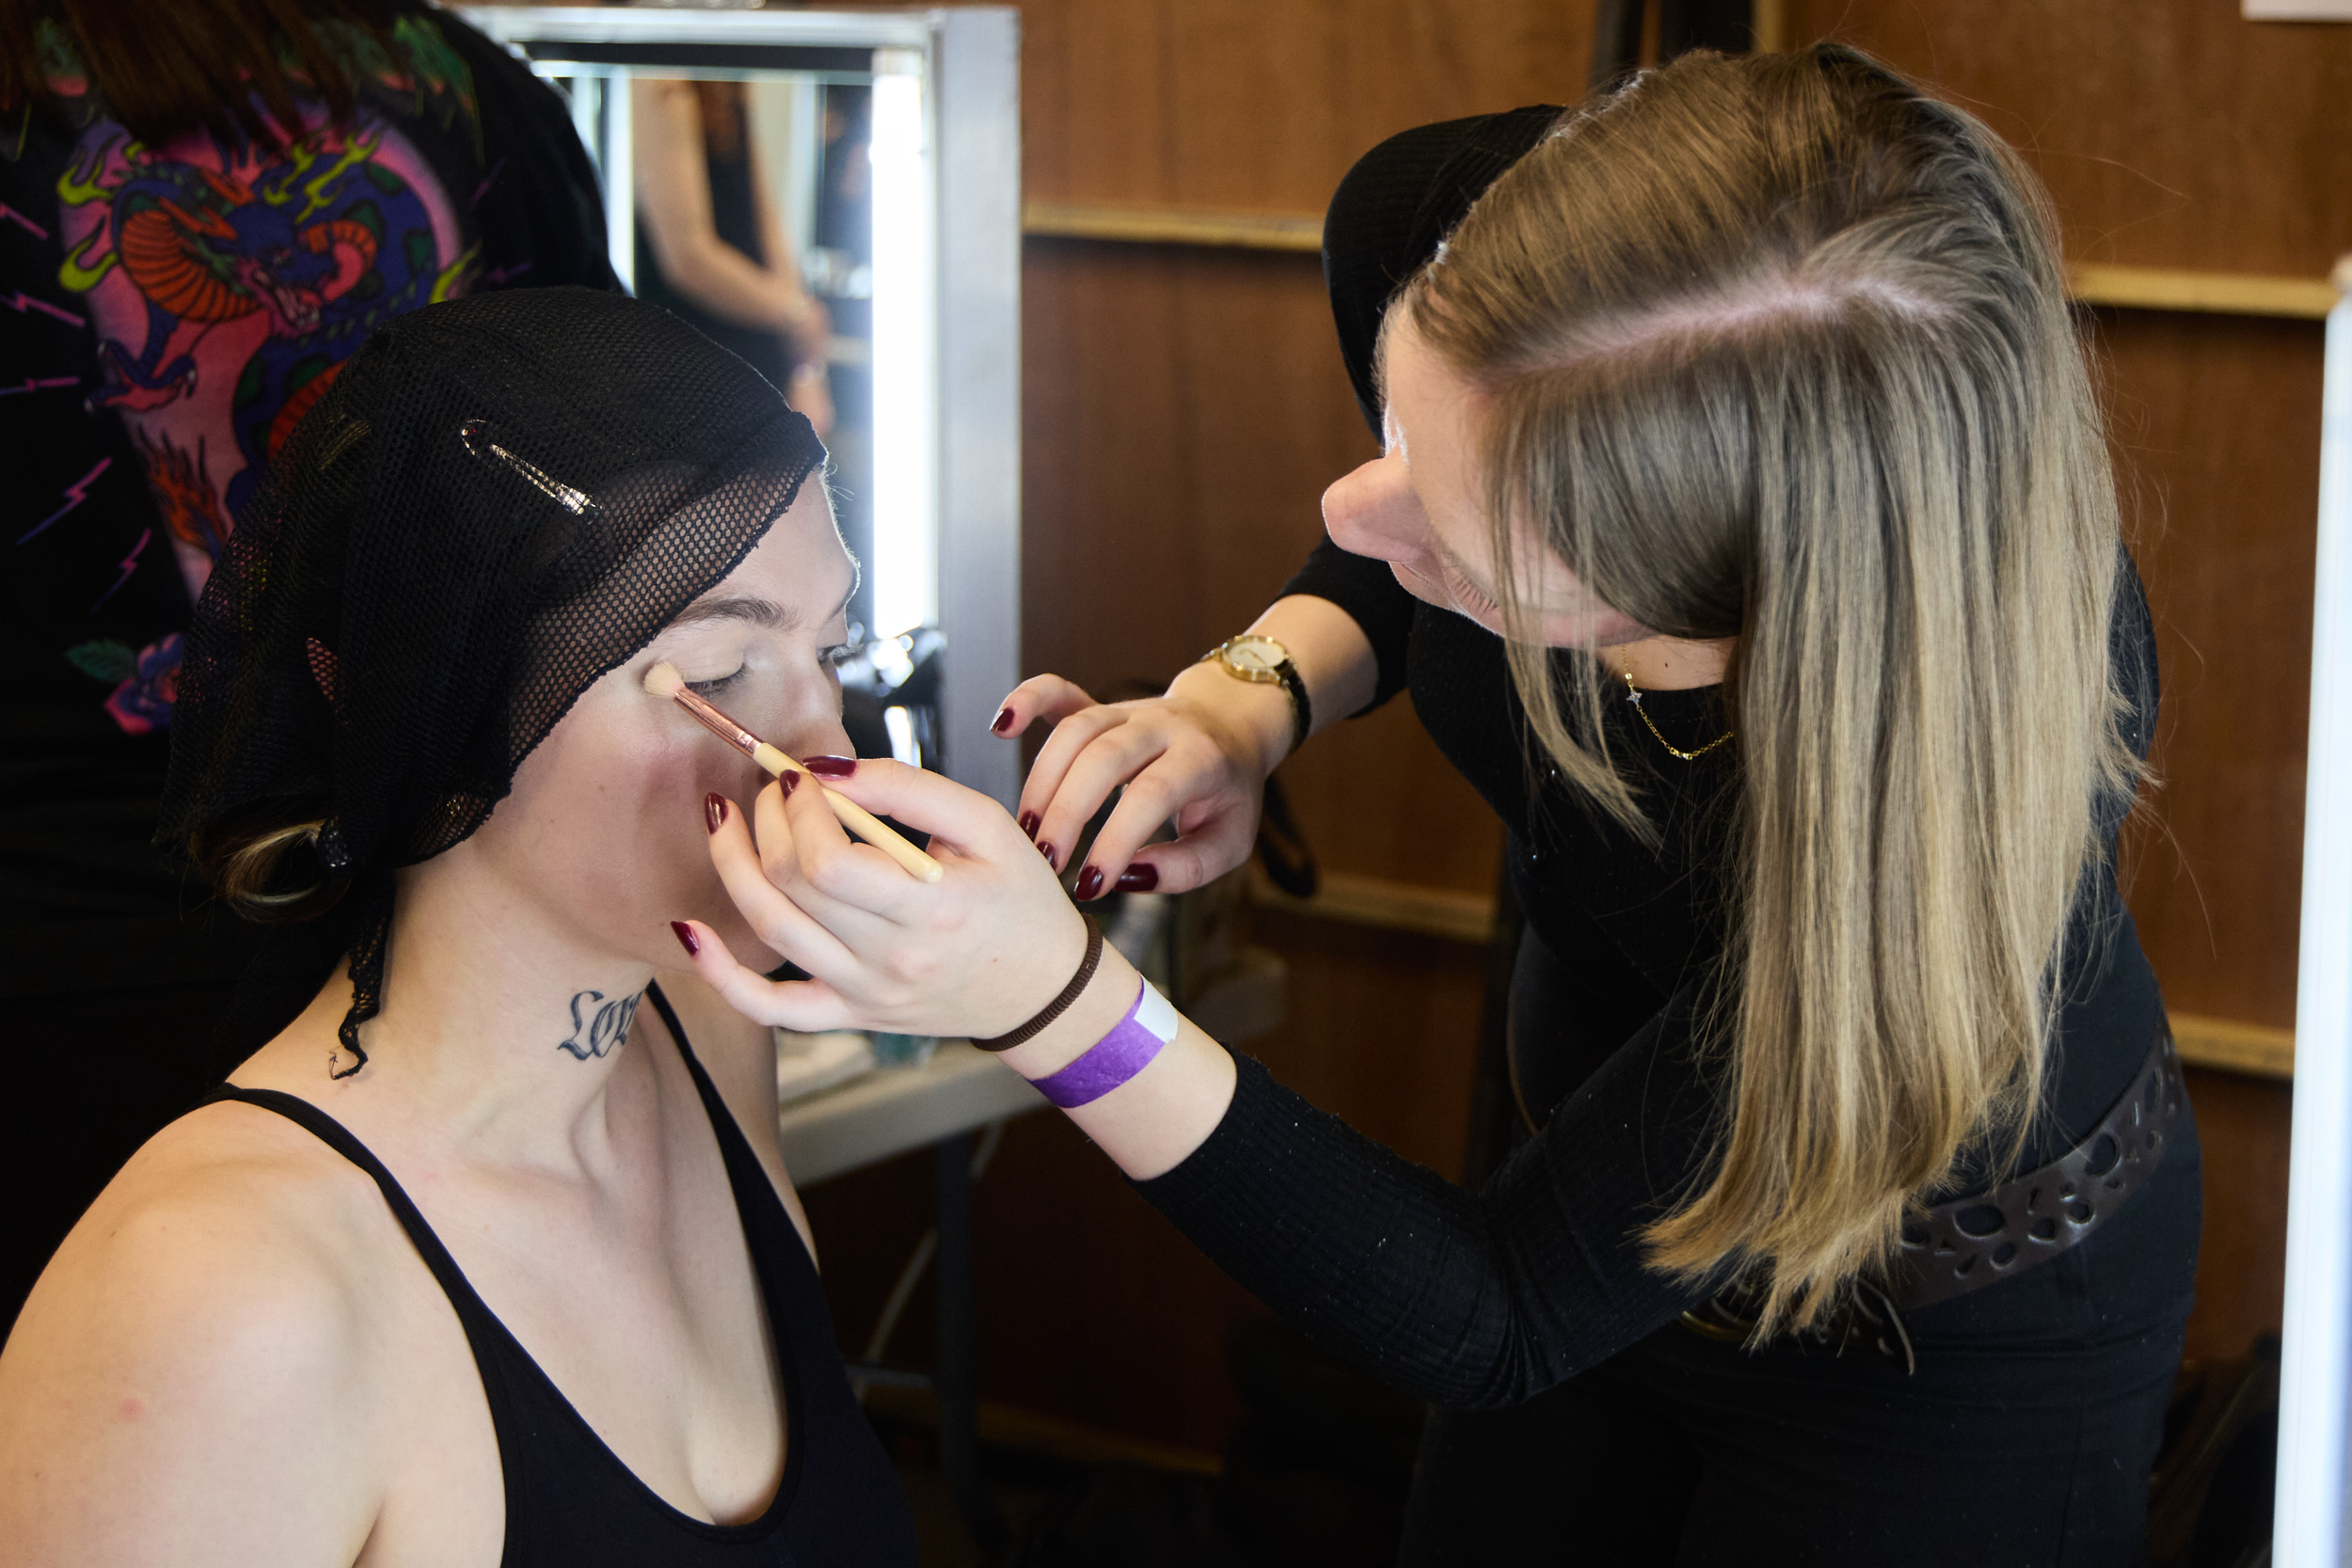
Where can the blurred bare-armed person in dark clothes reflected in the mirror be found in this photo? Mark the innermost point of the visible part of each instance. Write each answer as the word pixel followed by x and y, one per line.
pixel 711 239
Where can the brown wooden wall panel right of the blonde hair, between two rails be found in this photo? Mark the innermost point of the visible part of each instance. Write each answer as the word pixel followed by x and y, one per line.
pixel 2217 431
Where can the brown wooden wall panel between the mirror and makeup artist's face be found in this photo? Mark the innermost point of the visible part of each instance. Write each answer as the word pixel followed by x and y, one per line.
pixel 1184 415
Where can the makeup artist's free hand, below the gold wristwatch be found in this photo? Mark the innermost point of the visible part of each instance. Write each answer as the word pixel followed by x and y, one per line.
pixel 1196 756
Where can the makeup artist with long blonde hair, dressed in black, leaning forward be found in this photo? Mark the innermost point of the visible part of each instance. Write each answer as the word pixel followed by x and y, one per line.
pixel 1744 532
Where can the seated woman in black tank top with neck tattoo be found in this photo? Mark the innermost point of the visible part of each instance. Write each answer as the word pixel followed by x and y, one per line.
pixel 474 1261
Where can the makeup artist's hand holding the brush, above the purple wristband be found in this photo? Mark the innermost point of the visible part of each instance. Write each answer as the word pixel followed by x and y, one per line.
pixel 977 953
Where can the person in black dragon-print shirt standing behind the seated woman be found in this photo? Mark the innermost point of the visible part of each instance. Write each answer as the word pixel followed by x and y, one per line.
pixel 206 210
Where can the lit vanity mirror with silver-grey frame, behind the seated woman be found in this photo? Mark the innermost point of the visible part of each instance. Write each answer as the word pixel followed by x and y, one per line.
pixel 862 246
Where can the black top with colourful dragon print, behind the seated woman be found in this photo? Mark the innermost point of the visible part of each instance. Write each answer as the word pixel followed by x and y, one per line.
pixel 171 314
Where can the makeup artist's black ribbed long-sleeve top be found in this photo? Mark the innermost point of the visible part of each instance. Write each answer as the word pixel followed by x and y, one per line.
pixel 1485 1299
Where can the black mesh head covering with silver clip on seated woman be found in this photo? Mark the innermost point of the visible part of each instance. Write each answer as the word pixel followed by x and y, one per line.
pixel 495 504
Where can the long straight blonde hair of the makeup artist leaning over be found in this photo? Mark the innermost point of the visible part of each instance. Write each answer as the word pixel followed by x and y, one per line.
pixel 1779 349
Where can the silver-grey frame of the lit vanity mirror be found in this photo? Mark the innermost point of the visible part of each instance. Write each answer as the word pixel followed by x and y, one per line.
pixel 973 67
